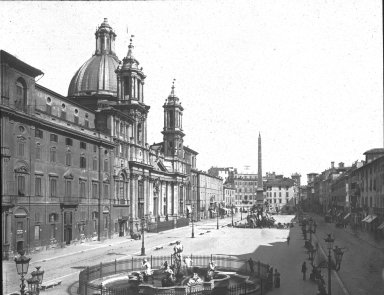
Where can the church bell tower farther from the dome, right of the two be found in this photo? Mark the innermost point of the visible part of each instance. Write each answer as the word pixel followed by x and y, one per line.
pixel 173 125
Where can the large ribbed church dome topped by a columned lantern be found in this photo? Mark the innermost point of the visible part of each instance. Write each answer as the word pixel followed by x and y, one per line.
pixel 97 75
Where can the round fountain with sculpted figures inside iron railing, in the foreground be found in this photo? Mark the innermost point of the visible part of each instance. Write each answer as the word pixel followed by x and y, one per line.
pixel 199 274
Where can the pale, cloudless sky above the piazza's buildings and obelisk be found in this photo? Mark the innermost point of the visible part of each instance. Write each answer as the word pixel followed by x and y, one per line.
pixel 305 74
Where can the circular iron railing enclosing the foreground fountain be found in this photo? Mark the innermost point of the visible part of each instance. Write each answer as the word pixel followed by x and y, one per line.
pixel 90 283
